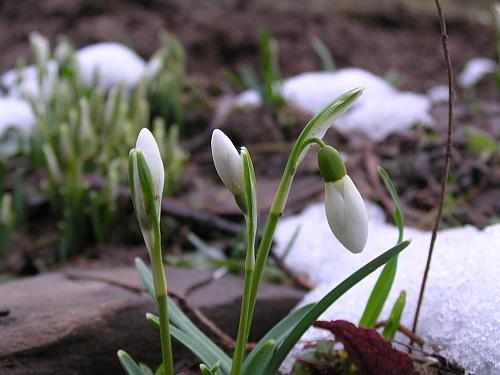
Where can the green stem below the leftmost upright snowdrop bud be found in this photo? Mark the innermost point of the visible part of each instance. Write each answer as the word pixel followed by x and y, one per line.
pixel 160 285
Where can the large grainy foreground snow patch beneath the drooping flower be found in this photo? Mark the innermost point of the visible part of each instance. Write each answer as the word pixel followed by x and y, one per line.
pixel 460 314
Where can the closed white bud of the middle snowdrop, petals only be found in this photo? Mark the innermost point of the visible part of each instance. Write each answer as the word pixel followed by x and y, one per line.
pixel 228 162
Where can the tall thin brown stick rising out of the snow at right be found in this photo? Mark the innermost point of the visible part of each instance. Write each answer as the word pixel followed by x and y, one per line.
pixel 448 157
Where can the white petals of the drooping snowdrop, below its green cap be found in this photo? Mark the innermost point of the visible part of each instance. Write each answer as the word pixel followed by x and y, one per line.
pixel 346 214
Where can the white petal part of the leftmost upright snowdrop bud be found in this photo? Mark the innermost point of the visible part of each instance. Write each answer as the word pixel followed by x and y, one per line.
pixel 147 144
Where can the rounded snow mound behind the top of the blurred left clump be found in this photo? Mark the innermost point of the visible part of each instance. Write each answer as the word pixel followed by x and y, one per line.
pixel 115 64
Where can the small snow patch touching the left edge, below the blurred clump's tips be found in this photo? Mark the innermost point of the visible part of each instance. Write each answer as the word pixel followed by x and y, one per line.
pixel 15 113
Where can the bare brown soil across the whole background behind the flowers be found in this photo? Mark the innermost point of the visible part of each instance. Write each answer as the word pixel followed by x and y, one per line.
pixel 377 36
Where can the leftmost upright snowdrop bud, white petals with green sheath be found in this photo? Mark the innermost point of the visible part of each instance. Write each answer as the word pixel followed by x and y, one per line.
pixel 146 179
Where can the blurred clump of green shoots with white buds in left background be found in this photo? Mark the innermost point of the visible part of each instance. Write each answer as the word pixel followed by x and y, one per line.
pixel 83 133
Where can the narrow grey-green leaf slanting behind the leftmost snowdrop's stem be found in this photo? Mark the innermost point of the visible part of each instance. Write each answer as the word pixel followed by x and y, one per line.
pixel 181 321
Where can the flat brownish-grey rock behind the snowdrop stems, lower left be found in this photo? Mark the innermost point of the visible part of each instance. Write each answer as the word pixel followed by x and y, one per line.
pixel 73 322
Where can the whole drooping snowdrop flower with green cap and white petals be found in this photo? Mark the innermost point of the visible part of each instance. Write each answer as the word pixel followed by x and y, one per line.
pixel 345 209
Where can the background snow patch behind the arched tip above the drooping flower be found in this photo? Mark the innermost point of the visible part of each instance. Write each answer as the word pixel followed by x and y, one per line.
pixel 380 111
